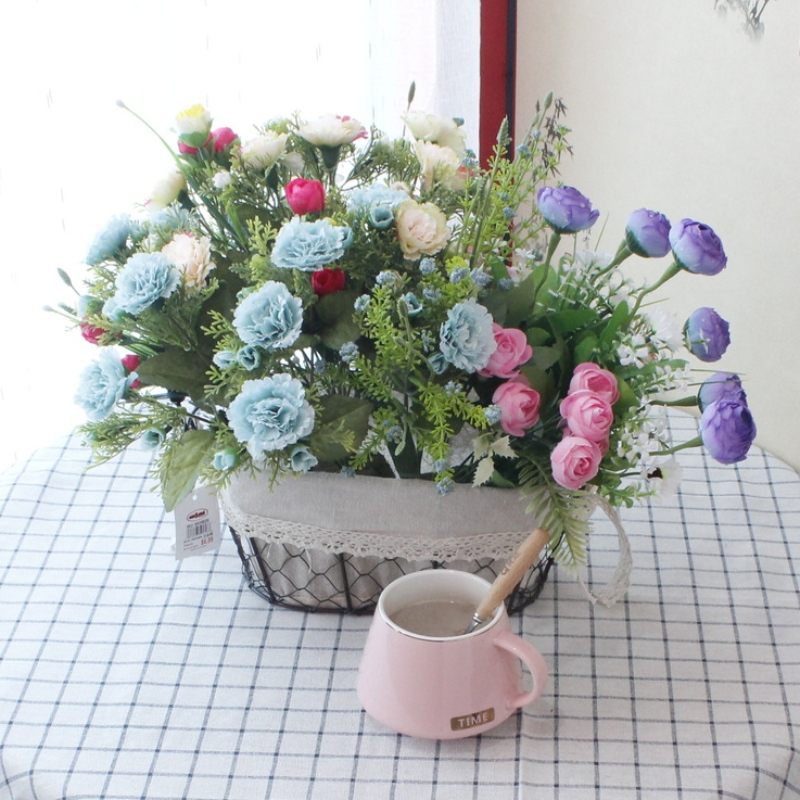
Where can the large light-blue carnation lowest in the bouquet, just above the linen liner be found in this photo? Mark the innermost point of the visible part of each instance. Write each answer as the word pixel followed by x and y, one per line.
pixel 270 414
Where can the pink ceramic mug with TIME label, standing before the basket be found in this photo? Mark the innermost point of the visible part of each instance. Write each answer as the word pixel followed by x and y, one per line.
pixel 443 686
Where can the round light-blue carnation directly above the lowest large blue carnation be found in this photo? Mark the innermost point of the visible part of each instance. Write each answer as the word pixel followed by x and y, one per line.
pixel 271 317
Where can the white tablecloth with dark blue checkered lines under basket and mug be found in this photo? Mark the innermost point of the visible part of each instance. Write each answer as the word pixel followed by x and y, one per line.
pixel 125 674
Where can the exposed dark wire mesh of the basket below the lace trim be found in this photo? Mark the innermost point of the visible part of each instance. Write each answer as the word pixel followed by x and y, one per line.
pixel 309 579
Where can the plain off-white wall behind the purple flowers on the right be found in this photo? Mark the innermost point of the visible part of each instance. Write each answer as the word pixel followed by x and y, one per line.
pixel 677 109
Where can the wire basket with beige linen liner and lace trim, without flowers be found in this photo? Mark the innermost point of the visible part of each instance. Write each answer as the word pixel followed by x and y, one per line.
pixel 326 542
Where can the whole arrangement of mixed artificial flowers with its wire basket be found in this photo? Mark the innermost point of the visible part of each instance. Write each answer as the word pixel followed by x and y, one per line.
pixel 322 300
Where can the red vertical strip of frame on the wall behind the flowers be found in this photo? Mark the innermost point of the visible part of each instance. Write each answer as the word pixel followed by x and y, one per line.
pixel 497 72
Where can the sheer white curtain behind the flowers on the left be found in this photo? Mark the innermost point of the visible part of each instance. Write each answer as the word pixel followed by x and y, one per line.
pixel 70 158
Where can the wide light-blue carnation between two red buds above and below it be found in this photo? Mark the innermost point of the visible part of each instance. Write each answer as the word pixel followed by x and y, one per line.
pixel 307 246
